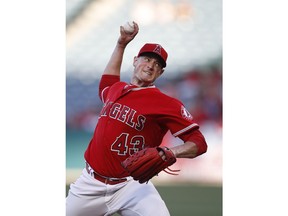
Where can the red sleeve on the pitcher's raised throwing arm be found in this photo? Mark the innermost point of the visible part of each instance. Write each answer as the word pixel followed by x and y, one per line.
pixel 105 82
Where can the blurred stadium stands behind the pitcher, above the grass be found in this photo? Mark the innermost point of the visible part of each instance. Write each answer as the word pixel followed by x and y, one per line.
pixel 191 32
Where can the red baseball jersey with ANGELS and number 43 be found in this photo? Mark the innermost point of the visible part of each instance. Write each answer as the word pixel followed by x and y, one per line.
pixel 131 119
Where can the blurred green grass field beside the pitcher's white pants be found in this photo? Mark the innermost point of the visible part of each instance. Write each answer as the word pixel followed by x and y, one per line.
pixel 191 200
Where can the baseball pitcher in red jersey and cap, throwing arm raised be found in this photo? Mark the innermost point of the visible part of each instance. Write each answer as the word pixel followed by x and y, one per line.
pixel 124 152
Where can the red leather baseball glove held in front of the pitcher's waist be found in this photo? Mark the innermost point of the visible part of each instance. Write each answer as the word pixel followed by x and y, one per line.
pixel 145 164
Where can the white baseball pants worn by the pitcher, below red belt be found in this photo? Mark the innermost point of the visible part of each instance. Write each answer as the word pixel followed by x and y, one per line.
pixel 90 197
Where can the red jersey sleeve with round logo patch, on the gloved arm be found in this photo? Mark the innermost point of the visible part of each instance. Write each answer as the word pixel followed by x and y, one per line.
pixel 177 118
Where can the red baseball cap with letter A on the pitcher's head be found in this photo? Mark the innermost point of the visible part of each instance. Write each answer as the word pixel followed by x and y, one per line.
pixel 156 49
